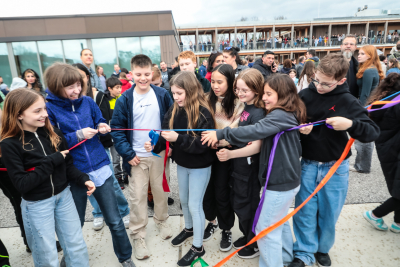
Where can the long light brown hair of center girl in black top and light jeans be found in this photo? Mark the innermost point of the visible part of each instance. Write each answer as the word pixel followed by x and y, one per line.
pixel 194 98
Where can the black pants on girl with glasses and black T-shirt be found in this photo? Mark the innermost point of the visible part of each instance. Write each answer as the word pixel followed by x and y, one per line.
pixel 245 194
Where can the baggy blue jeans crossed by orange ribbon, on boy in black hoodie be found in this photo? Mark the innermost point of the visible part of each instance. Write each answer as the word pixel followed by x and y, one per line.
pixel 314 224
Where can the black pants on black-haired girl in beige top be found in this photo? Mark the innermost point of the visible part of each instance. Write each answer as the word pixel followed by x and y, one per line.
pixel 217 201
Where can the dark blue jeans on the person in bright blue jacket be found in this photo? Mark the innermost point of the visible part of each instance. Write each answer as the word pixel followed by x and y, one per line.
pixel 105 196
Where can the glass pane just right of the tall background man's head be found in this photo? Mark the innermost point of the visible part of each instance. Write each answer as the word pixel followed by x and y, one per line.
pixel 104 53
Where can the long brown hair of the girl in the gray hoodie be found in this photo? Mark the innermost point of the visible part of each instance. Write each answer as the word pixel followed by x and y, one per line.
pixel 288 98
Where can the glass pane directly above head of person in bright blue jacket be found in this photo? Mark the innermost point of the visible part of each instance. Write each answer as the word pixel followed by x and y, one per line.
pixel 50 52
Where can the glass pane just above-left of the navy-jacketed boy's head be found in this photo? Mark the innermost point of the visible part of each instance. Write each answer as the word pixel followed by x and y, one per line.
pixel 127 49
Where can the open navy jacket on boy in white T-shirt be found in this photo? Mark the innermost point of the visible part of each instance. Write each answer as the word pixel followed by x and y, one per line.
pixel 123 119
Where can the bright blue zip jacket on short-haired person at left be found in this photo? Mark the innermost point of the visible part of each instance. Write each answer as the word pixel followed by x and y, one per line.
pixel 73 115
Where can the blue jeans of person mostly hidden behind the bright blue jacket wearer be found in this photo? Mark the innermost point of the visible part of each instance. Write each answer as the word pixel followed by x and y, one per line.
pixel 123 205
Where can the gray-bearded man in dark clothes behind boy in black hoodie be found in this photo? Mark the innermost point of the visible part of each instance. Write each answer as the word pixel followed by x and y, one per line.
pixel 348 46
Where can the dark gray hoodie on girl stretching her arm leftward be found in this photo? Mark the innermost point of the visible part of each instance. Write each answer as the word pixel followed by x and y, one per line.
pixel 286 169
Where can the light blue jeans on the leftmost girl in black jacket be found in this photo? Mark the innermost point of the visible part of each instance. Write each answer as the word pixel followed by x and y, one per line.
pixel 57 213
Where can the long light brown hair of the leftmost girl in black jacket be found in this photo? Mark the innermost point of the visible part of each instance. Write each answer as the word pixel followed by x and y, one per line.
pixel 16 102
